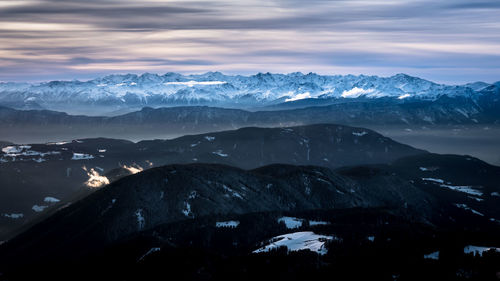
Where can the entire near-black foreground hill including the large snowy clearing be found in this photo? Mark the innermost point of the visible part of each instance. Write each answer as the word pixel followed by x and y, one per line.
pixel 199 217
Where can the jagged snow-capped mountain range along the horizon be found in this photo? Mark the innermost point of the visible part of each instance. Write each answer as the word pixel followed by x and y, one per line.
pixel 130 91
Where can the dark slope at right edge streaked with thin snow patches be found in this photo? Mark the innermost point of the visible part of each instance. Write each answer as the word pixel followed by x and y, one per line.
pixel 460 182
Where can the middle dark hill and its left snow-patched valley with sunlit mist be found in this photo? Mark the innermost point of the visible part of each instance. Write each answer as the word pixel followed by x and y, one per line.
pixel 34 175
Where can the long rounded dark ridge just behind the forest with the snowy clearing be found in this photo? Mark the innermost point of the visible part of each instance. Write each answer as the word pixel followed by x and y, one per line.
pixel 180 192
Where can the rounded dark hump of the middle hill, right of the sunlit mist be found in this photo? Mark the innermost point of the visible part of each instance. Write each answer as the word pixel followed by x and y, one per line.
pixel 322 145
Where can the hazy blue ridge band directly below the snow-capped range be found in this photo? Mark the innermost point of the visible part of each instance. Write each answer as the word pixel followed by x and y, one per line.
pixel 148 123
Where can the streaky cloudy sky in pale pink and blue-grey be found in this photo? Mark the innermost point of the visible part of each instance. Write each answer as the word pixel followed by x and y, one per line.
pixel 450 41
